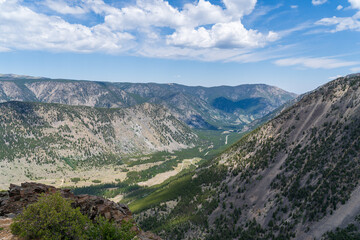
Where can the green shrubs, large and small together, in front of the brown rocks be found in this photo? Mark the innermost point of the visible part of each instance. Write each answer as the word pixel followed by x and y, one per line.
pixel 52 217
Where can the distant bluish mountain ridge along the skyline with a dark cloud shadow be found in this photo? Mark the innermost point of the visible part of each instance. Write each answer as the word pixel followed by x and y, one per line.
pixel 199 107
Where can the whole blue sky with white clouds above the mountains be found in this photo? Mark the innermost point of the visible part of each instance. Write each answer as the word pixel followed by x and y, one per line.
pixel 296 45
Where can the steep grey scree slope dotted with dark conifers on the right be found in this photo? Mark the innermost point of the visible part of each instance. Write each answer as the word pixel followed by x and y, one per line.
pixel 297 176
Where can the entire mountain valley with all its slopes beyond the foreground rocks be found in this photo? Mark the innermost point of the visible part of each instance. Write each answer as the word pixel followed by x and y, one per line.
pixel 286 173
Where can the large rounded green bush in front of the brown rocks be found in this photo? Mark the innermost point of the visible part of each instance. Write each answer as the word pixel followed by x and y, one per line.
pixel 52 217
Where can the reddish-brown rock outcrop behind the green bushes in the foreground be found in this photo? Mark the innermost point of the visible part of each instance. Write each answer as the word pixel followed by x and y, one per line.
pixel 17 198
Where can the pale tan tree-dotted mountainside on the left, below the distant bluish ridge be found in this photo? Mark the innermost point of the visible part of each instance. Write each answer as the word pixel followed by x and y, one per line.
pixel 39 140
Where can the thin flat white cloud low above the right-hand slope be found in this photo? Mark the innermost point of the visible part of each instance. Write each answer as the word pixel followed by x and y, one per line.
pixel 315 63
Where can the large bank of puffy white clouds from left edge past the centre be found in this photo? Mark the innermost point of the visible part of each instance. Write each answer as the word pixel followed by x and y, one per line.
pixel 135 28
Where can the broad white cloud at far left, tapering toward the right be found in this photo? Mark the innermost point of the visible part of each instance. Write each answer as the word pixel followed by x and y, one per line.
pixel 22 28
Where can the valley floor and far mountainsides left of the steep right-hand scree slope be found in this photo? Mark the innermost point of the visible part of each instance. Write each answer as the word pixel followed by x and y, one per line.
pixel 71 133
